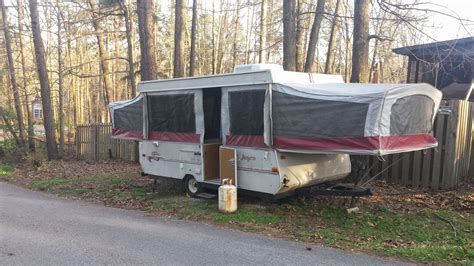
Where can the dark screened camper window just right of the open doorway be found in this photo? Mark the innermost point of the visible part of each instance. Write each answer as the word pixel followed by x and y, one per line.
pixel 246 112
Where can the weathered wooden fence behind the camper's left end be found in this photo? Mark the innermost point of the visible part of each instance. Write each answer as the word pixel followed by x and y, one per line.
pixel 94 143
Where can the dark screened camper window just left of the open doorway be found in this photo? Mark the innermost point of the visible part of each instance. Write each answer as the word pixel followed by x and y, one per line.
pixel 171 113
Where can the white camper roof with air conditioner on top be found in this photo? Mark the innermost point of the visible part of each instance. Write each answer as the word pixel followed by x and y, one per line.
pixel 242 75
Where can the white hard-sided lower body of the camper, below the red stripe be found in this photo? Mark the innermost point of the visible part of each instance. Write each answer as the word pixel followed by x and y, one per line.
pixel 258 170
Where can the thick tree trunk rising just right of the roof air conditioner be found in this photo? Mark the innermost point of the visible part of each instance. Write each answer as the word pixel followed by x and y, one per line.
pixel 289 37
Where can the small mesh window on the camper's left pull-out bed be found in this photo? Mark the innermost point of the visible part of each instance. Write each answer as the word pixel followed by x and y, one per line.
pixel 130 117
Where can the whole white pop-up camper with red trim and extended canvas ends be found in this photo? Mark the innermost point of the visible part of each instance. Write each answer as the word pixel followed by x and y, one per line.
pixel 205 129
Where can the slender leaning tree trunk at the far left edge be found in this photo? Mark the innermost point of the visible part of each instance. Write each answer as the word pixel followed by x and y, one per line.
pixel 11 70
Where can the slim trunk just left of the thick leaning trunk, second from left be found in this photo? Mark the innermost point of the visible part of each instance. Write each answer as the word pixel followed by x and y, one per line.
pixel 31 133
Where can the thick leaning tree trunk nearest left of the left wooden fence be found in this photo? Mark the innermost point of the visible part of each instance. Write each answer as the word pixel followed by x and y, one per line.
pixel 44 82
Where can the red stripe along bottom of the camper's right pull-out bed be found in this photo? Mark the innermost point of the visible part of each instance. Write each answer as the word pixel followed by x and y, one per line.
pixel 356 143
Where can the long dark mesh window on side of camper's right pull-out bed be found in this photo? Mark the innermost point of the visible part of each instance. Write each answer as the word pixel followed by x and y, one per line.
pixel 304 117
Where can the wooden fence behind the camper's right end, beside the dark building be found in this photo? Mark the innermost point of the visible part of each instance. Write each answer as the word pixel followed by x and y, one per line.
pixel 441 168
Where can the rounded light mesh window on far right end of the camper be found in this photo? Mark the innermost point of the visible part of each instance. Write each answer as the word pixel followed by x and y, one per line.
pixel 412 115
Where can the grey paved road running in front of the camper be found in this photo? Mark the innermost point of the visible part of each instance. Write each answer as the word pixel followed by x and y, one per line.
pixel 36 228
